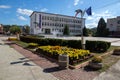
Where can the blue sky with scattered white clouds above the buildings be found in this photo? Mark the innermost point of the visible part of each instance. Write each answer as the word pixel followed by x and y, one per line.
pixel 18 11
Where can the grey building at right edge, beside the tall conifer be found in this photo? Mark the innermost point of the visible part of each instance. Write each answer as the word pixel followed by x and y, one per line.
pixel 113 24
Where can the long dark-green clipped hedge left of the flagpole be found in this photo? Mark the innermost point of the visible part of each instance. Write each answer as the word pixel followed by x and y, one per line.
pixel 52 42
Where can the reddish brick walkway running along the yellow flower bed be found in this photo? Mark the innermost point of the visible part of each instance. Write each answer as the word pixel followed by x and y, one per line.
pixel 50 66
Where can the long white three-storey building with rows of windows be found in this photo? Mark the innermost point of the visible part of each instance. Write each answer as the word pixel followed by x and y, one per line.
pixel 48 23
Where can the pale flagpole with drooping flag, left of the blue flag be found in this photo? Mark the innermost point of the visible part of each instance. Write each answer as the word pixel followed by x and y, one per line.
pixel 82 26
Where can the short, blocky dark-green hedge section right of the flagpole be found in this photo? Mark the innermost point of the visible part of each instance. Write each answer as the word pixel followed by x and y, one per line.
pixel 97 46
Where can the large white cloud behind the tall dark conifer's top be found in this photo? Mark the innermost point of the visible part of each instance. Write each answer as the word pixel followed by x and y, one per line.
pixel 92 21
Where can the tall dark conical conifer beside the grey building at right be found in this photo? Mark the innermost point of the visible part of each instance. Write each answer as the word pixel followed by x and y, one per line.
pixel 102 31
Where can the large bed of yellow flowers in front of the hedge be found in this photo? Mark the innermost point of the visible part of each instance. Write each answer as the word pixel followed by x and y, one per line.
pixel 75 55
